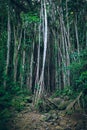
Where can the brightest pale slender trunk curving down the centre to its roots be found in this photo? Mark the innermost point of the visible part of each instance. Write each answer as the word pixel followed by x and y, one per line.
pixel 40 91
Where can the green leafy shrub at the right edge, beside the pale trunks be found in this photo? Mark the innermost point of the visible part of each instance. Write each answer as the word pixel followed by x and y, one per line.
pixel 78 70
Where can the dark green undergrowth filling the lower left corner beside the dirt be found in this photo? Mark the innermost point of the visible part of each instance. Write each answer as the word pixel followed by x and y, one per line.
pixel 11 99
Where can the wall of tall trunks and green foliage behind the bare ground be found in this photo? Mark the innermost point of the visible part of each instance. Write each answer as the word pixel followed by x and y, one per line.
pixel 43 50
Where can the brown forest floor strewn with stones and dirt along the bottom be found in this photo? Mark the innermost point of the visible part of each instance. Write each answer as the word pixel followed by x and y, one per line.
pixel 30 119
